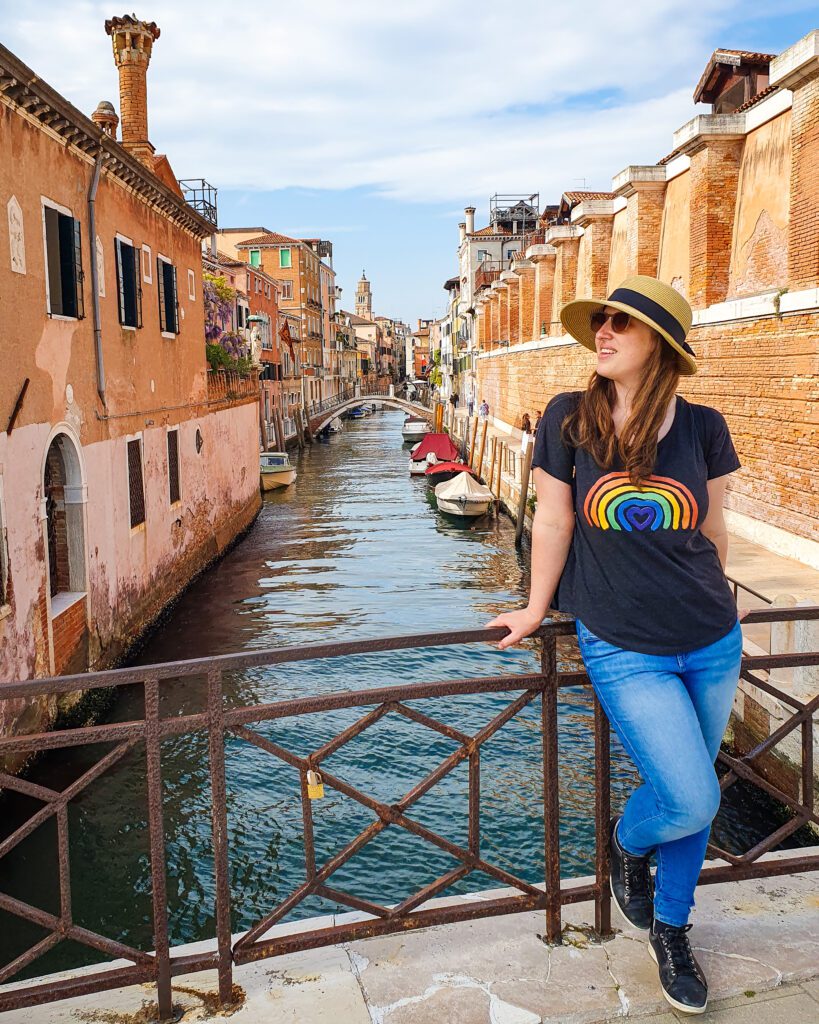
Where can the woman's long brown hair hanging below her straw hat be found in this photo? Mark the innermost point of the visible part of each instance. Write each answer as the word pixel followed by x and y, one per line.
pixel 591 426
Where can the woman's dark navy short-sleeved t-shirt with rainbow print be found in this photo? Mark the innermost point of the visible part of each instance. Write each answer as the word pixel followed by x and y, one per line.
pixel 640 574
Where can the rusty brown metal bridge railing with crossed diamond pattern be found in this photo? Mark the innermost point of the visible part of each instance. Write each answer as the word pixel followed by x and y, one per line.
pixel 220 722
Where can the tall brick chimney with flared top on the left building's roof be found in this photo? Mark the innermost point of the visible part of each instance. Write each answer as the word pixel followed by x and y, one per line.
pixel 134 41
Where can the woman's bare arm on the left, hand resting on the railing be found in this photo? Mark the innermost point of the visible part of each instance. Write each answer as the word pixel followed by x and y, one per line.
pixel 552 531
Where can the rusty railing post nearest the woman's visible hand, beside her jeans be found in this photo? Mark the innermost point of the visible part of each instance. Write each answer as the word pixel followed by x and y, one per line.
pixel 551 796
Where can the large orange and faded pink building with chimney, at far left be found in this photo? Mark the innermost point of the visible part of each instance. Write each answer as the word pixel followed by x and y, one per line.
pixel 125 466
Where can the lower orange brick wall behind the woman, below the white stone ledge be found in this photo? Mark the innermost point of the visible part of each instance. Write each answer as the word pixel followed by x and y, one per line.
pixel 763 375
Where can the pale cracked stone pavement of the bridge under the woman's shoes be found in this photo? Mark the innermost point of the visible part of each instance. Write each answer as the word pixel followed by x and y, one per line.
pixel 758 942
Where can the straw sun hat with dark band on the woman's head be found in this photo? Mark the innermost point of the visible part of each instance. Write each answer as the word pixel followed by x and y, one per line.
pixel 648 300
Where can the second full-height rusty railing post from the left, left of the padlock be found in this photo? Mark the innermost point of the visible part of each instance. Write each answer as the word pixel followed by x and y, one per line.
pixel 220 825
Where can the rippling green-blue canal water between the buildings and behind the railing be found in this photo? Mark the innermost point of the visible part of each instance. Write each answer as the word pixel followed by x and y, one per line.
pixel 354 550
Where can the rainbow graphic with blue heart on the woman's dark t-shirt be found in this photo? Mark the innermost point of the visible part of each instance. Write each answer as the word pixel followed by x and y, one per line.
pixel 615 503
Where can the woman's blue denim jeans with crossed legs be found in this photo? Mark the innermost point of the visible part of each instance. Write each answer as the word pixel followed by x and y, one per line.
pixel 670 712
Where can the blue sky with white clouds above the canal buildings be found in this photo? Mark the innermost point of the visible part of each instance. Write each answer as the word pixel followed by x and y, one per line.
pixel 374 124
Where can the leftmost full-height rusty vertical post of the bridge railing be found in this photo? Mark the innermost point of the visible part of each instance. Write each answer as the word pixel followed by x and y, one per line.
pixel 157 837
